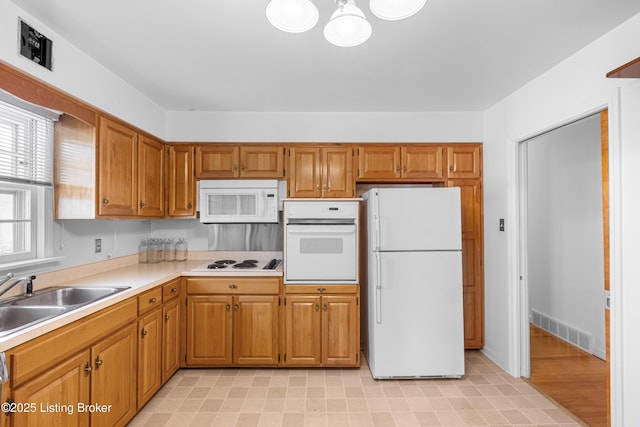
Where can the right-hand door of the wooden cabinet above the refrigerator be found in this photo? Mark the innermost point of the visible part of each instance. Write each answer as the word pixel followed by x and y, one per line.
pixel 422 162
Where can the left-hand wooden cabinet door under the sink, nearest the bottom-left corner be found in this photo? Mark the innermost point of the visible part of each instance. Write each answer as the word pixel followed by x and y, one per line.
pixel 56 394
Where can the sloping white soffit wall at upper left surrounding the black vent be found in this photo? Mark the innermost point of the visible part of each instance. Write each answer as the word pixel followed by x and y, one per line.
pixel 78 74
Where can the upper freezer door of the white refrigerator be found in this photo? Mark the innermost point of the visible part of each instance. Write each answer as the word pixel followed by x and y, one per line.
pixel 407 219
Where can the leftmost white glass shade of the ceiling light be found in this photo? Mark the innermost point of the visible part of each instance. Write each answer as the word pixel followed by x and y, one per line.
pixel 292 16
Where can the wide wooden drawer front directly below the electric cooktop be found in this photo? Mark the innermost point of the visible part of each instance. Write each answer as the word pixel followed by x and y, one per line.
pixel 233 285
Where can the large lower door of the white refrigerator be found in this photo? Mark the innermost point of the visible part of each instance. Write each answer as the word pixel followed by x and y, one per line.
pixel 415 315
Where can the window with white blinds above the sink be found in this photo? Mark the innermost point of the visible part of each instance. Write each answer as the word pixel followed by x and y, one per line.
pixel 26 142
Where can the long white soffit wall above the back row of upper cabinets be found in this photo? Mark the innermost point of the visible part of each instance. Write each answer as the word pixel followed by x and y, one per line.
pixel 324 127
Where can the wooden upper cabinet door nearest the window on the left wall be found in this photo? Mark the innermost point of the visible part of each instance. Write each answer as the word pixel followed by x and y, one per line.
pixel 117 169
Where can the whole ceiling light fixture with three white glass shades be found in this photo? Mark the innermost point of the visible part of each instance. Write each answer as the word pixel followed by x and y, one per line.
pixel 347 26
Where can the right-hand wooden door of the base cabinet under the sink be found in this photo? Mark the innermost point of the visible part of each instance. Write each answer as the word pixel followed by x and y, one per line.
pixel 113 379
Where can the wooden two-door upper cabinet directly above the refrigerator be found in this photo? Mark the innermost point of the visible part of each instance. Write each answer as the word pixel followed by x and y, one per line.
pixel 386 162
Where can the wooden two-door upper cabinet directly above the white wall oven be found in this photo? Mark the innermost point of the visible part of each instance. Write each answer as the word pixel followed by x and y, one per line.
pixel 325 171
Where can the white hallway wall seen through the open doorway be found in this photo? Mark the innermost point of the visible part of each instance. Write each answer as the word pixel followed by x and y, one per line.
pixel 565 258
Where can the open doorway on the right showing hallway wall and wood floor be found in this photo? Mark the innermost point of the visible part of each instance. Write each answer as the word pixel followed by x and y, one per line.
pixel 566 233
